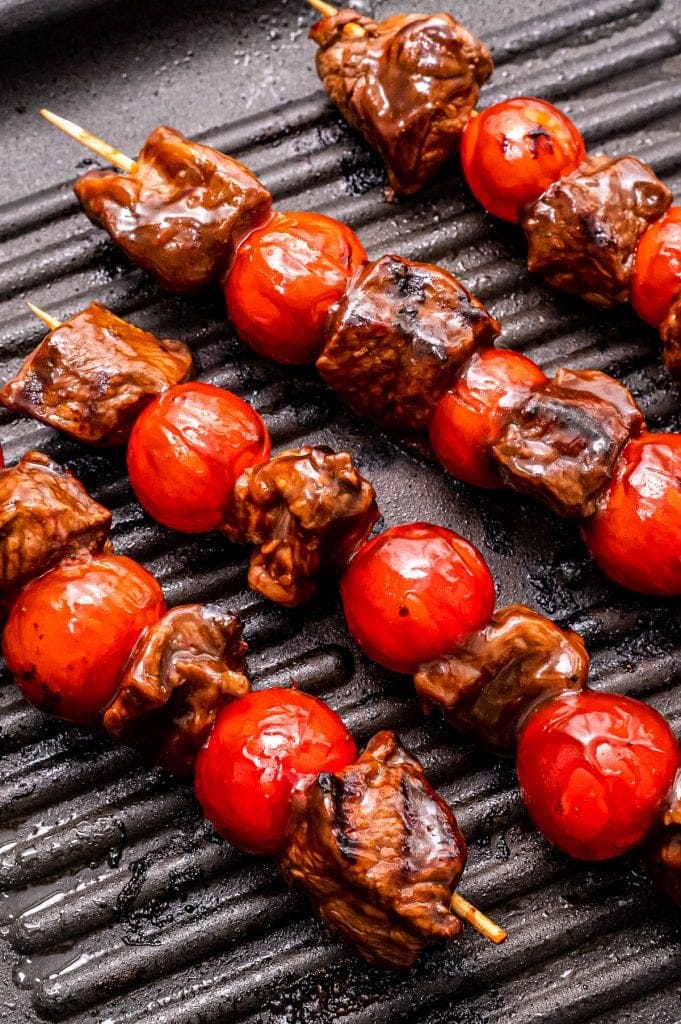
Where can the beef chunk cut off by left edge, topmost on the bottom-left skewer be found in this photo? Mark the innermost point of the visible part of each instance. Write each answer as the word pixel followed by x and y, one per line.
pixel 47 516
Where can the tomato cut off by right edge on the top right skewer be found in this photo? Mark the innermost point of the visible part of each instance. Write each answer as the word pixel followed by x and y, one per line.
pixel 657 278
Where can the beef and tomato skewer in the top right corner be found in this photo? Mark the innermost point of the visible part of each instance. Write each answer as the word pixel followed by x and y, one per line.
pixel 600 228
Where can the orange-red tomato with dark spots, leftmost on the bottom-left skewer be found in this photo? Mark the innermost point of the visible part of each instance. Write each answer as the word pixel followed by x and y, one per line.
pixel 71 632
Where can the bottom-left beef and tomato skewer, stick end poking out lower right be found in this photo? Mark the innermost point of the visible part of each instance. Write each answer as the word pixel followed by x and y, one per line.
pixel 90 639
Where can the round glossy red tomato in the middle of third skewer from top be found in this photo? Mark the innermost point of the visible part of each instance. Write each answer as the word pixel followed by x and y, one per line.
pixel 413 592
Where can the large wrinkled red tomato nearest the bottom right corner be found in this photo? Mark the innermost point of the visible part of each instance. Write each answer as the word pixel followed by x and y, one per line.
pixel 594 770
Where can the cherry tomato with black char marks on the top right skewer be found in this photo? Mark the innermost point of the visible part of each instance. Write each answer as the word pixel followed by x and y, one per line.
pixel 514 151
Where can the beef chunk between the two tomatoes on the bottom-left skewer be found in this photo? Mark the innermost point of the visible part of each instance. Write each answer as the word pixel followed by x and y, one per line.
pixel 181 674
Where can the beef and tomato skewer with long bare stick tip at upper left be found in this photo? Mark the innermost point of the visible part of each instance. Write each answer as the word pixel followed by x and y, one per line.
pixel 407 346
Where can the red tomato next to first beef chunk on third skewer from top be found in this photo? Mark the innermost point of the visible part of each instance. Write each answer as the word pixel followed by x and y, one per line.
pixel 187 452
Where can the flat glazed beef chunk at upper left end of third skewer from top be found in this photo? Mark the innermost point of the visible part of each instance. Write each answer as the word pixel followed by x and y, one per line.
pixel 93 376
